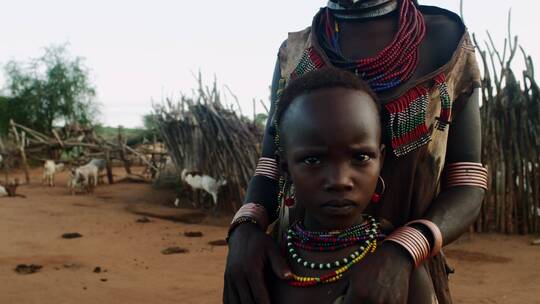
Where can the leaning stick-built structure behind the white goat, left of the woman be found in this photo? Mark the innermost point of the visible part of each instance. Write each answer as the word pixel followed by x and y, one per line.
pixel 203 135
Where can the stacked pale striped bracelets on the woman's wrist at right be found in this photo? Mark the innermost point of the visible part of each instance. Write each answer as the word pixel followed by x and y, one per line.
pixel 415 242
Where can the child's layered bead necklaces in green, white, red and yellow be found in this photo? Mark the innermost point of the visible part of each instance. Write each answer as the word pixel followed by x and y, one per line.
pixel 364 235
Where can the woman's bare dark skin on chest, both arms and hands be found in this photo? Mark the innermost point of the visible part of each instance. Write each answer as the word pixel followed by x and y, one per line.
pixel 385 275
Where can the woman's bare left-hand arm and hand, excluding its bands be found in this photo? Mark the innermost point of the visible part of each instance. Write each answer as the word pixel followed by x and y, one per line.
pixel 251 250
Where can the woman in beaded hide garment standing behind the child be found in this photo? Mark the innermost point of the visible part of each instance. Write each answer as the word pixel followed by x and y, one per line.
pixel 420 61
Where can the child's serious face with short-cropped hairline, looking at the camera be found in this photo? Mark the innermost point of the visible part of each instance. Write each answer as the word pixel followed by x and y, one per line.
pixel 333 155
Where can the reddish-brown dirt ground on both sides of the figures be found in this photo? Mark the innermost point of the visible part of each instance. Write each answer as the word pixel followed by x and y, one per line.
pixel 489 268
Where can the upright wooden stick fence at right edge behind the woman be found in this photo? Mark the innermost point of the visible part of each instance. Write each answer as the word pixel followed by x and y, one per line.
pixel 511 141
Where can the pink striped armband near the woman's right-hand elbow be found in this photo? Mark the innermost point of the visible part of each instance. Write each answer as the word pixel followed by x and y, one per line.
pixel 465 174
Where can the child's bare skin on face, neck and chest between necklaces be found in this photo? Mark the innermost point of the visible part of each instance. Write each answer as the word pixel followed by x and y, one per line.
pixel 334 165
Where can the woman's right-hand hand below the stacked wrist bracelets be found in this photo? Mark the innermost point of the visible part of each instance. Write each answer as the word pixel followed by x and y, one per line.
pixel 382 277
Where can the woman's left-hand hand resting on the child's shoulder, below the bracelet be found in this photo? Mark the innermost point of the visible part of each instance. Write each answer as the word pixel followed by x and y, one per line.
pixel 250 251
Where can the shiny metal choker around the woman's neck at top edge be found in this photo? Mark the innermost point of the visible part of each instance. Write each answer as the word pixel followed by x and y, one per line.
pixel 364 12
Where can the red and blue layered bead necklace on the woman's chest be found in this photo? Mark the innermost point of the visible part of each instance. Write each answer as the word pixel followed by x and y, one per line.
pixel 391 66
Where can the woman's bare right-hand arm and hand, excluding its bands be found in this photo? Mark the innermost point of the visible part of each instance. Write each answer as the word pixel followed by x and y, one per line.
pixel 384 276
